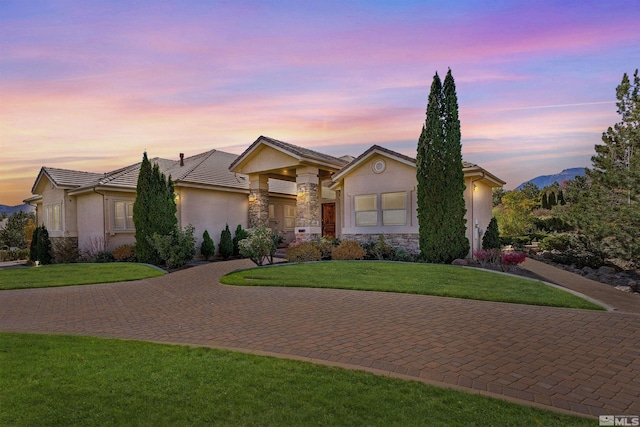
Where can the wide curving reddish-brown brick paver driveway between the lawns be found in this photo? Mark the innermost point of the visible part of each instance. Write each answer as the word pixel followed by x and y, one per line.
pixel 575 360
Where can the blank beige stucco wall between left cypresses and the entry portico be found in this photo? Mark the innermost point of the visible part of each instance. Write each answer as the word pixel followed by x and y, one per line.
pixel 211 210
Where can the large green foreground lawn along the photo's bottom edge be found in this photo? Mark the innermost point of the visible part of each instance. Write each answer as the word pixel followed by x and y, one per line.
pixel 66 381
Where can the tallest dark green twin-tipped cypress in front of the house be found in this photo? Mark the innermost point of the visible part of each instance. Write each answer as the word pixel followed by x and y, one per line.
pixel 441 206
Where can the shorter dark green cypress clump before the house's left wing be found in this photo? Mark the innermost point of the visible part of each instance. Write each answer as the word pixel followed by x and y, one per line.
pixel 154 211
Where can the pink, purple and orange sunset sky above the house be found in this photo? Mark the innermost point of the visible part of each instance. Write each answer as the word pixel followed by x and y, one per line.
pixel 89 85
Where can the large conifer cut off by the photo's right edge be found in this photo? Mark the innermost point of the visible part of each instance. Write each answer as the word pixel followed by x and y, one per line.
pixel 615 182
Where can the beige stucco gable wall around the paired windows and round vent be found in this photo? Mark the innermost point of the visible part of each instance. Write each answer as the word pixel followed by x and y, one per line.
pixel 396 177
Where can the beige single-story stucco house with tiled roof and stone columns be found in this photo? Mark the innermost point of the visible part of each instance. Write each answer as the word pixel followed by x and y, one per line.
pixel 300 193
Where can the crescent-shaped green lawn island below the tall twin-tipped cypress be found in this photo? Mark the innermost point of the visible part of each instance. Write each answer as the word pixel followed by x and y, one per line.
pixel 416 278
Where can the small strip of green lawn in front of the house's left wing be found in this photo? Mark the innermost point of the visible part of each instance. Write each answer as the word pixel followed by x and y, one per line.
pixel 74 274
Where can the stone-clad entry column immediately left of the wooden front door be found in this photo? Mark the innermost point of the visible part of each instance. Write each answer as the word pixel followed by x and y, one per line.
pixel 308 212
